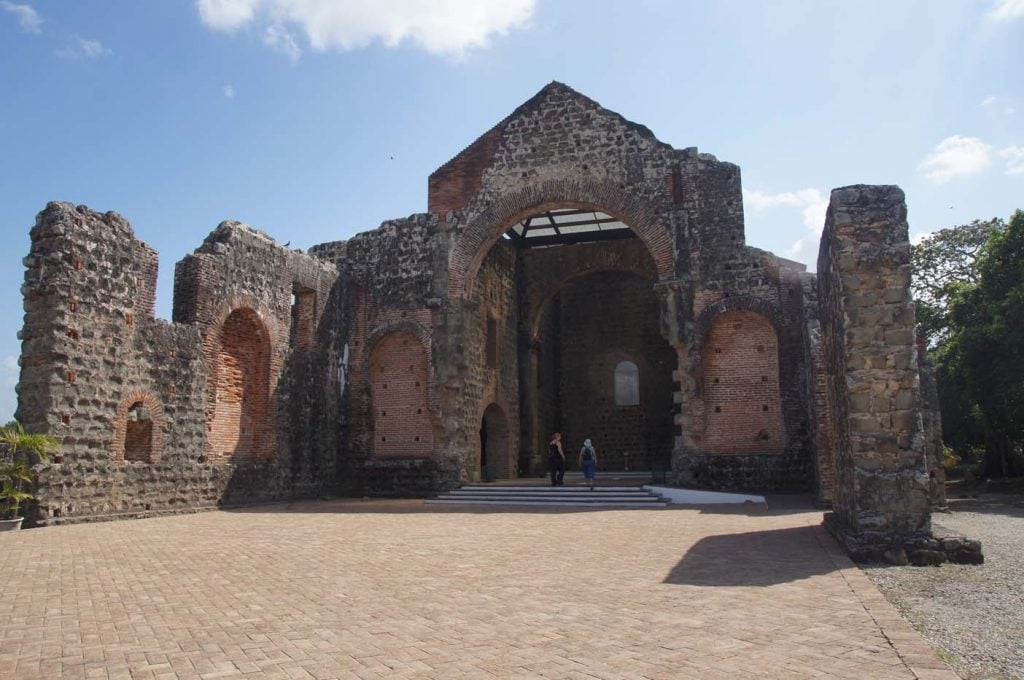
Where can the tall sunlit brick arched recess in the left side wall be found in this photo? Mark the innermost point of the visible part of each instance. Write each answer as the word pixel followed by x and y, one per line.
pixel 240 428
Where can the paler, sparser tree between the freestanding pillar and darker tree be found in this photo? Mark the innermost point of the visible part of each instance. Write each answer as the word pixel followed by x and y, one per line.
pixel 942 264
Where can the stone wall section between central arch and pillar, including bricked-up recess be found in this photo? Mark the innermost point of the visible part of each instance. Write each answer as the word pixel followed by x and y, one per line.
pixel 722 449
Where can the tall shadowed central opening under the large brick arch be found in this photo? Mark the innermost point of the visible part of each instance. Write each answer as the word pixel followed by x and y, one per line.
pixel 580 286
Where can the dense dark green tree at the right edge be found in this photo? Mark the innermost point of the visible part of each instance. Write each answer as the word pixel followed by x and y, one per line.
pixel 986 348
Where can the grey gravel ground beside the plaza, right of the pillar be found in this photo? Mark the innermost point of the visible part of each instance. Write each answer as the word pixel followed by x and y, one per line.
pixel 975 614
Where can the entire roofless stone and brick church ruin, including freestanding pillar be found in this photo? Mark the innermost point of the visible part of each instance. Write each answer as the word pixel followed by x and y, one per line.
pixel 572 273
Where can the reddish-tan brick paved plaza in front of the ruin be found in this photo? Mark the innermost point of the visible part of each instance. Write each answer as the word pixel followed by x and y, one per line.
pixel 398 589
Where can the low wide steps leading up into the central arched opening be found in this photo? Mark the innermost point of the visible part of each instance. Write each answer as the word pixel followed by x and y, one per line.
pixel 567 497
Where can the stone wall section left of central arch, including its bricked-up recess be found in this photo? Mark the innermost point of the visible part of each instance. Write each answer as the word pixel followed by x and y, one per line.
pixel 390 318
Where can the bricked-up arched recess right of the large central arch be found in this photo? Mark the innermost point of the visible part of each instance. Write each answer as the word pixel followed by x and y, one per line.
pixel 741 386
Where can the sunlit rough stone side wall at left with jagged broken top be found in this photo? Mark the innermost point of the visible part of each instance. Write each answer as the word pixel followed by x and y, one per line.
pixel 131 397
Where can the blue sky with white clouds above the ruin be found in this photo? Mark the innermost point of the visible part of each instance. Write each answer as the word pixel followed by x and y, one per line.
pixel 314 120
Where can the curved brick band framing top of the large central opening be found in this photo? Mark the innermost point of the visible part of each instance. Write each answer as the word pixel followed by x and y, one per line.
pixel 488 227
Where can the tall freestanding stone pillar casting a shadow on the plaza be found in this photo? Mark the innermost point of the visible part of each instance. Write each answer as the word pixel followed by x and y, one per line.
pixel 882 499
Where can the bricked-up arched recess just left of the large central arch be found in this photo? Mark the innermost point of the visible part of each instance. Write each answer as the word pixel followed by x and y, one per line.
pixel 399 378
